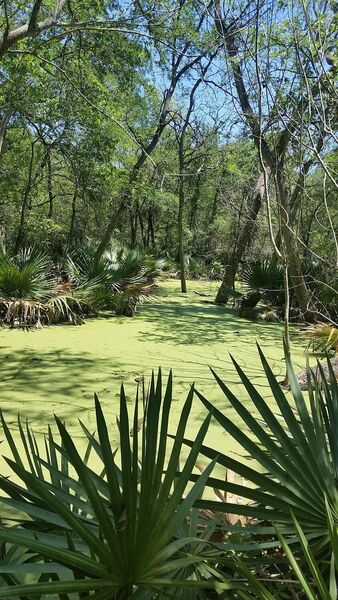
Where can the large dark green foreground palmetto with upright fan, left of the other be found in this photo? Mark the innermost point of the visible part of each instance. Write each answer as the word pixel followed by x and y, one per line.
pixel 127 532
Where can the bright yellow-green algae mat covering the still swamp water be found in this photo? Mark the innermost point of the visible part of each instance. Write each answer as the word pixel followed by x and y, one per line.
pixel 58 369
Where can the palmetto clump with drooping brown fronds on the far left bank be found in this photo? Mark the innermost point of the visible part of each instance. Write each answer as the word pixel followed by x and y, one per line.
pixel 32 294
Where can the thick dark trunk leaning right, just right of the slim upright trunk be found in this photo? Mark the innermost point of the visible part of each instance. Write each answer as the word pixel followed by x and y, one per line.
pixel 244 240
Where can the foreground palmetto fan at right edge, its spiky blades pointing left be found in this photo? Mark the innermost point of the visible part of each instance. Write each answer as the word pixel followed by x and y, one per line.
pixel 295 455
